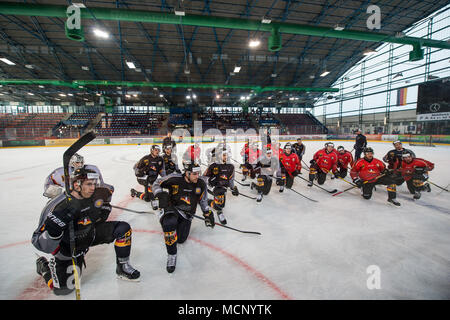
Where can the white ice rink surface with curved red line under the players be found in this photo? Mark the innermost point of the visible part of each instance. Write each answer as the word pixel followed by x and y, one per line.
pixel 307 250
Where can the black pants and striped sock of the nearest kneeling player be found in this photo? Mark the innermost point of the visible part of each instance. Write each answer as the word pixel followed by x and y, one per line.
pixel 61 275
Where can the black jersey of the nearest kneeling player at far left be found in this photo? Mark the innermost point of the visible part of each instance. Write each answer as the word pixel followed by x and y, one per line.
pixel 89 212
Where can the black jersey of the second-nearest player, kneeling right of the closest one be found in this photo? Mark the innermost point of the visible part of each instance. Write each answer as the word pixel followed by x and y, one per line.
pixel 183 196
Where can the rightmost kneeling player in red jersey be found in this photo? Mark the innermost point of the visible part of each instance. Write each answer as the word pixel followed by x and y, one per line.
pixel 415 172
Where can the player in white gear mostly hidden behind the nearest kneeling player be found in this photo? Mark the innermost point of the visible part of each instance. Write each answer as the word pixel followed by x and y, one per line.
pixel 54 183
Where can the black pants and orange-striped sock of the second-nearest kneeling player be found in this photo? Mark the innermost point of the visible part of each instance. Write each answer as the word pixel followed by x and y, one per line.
pixel 176 229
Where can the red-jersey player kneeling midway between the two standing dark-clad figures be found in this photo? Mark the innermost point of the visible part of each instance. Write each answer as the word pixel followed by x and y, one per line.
pixel 323 162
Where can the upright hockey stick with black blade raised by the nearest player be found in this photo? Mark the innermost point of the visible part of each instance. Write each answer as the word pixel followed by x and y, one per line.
pixel 80 143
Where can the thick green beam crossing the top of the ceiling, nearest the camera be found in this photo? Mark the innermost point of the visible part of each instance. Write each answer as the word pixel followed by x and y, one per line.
pixel 117 14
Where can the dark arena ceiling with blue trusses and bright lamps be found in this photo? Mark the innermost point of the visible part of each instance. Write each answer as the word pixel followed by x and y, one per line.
pixel 185 57
